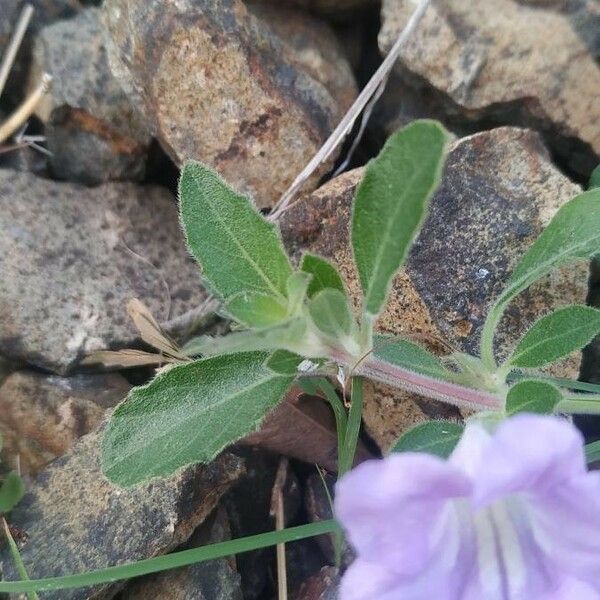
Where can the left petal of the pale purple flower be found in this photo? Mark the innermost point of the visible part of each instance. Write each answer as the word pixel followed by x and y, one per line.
pixel 396 510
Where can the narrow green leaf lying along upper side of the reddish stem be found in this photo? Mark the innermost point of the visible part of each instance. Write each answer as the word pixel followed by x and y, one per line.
pixel 409 355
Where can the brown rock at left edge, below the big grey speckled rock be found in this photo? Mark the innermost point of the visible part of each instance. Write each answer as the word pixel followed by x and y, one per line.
pixel 42 416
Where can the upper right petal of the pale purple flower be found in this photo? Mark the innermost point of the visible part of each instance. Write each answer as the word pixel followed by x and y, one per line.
pixel 528 453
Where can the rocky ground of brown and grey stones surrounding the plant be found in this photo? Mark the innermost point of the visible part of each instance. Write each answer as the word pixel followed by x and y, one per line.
pixel 253 89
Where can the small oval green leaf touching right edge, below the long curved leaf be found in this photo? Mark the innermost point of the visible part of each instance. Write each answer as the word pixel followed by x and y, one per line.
pixel 556 335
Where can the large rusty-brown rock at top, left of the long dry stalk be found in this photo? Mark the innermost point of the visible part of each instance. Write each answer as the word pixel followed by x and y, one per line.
pixel 218 84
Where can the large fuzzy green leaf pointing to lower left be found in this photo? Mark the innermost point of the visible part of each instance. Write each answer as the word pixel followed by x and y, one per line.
pixel 188 414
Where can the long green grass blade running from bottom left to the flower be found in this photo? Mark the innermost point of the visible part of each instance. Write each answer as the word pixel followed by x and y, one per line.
pixel 171 561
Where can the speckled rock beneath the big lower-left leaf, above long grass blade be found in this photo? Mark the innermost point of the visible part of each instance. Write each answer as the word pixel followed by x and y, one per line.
pixel 75 520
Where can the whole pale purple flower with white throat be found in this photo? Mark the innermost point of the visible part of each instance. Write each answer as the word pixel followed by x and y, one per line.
pixel 510 516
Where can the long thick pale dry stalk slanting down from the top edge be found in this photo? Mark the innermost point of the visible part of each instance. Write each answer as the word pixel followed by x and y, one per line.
pixel 346 124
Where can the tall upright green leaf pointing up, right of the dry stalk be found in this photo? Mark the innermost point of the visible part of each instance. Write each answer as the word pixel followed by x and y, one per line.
pixel 391 203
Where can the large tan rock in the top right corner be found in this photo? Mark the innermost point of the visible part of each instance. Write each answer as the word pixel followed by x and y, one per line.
pixel 494 61
